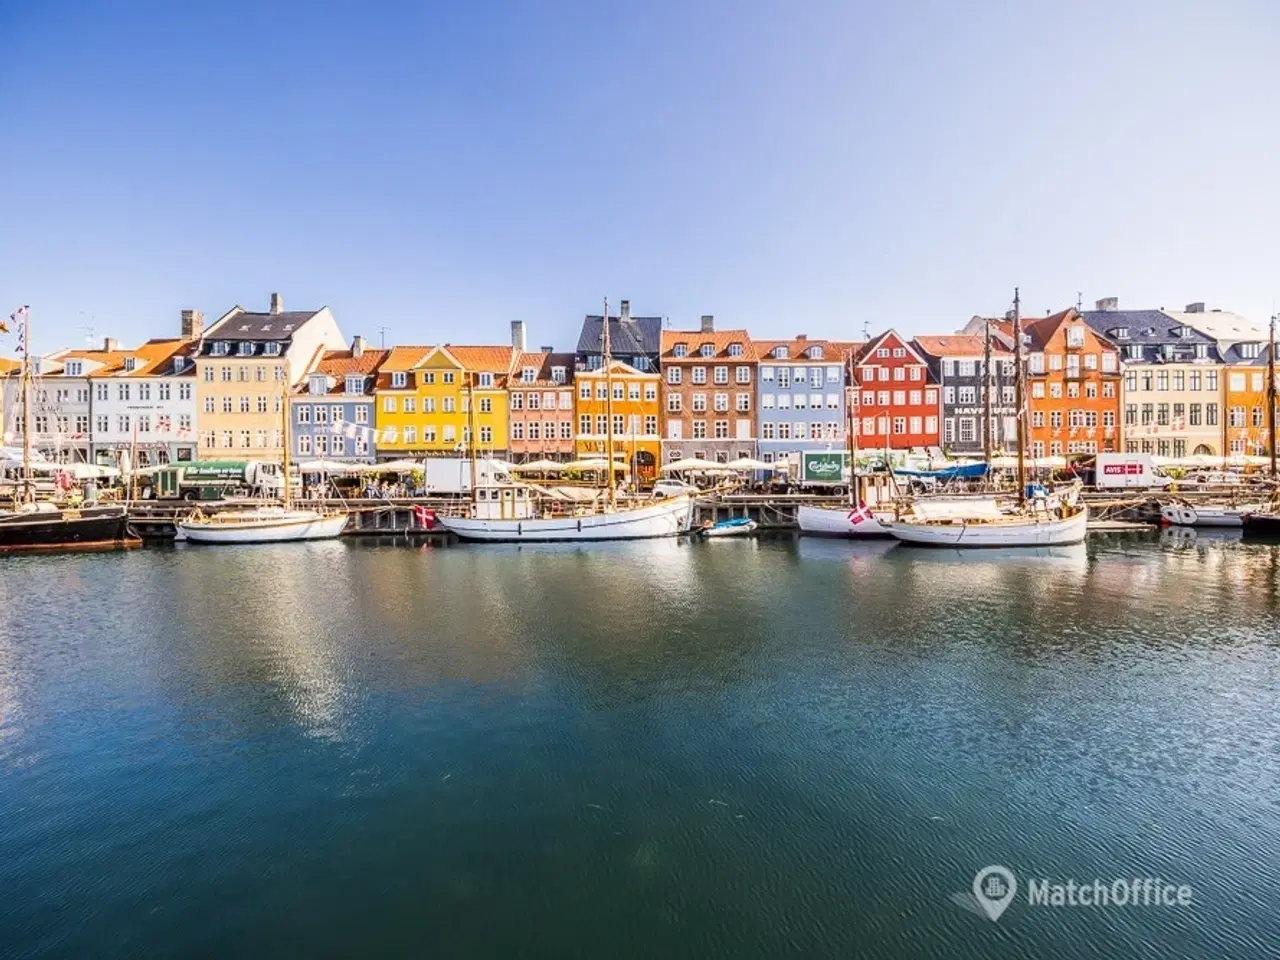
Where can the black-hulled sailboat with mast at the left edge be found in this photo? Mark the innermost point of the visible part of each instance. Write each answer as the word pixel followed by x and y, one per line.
pixel 39 525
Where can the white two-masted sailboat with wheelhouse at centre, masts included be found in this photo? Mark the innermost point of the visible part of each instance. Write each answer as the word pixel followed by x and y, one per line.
pixel 509 511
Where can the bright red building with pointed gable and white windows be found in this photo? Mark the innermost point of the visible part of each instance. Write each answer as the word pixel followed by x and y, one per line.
pixel 897 396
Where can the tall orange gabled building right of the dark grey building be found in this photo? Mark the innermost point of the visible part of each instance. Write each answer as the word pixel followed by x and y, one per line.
pixel 1073 383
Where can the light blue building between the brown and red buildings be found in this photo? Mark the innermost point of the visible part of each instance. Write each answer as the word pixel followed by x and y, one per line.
pixel 801 399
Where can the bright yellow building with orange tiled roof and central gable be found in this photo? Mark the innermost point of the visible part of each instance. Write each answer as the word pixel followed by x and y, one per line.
pixel 424 396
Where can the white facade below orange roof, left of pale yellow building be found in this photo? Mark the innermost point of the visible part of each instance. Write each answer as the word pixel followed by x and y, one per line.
pixel 162 409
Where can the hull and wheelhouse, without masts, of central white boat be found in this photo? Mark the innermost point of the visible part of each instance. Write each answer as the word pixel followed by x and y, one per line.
pixel 511 514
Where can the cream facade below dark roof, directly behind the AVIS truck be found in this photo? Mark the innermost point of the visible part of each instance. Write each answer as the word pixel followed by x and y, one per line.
pixel 1173 410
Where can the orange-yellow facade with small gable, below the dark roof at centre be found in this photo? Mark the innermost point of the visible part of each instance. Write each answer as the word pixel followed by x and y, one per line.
pixel 637 413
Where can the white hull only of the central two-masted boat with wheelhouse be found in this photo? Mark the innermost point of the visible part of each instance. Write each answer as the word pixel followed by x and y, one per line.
pixel 666 519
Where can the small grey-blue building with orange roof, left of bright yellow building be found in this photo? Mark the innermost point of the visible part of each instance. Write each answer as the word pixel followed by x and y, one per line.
pixel 332 415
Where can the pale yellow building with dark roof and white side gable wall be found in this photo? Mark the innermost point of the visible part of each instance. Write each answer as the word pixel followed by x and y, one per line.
pixel 243 365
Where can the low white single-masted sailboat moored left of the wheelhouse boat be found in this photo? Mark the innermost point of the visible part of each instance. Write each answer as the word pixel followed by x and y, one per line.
pixel 267 523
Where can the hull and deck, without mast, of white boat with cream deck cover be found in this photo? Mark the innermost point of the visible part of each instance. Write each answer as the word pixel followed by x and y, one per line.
pixel 982 523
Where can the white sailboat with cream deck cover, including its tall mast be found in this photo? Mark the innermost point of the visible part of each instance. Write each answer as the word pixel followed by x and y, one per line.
pixel 1045 520
